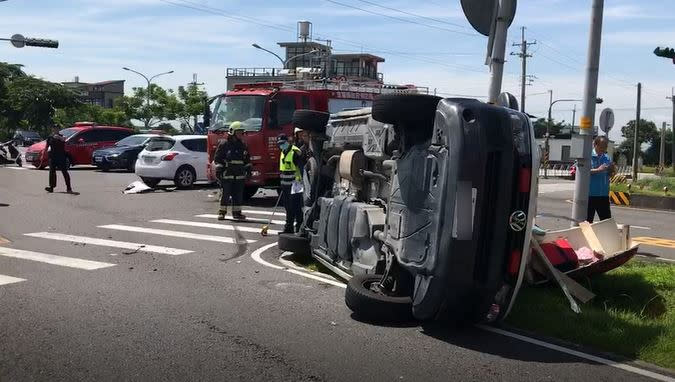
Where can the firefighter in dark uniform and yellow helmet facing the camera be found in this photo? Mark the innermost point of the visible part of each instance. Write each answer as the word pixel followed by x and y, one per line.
pixel 232 155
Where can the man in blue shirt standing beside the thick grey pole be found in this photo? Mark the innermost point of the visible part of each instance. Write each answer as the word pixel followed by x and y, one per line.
pixel 601 169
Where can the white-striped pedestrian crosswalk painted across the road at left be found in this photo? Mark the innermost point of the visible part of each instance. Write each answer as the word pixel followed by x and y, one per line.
pixel 149 237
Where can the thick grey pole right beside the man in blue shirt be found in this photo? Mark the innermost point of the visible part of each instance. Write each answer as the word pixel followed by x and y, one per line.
pixel 583 177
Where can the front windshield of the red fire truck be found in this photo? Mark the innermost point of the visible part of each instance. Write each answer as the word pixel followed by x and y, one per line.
pixel 247 109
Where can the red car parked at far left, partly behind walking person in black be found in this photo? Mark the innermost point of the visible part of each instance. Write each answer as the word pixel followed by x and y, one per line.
pixel 81 141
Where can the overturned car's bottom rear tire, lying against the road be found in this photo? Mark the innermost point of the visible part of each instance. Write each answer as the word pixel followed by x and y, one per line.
pixel 374 306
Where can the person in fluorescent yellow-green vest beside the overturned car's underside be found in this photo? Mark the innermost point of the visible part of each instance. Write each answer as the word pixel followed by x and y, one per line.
pixel 290 163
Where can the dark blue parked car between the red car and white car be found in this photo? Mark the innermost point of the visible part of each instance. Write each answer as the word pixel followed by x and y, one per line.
pixel 123 154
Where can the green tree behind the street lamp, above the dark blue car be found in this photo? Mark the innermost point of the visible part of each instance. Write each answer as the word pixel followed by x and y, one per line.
pixel 164 105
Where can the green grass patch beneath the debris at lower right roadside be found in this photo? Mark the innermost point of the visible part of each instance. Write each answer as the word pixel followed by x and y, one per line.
pixel 633 313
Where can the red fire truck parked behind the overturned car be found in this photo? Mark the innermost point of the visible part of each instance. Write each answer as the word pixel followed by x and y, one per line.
pixel 266 110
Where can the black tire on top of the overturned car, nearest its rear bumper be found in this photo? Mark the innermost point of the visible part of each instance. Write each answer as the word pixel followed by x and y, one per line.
pixel 413 110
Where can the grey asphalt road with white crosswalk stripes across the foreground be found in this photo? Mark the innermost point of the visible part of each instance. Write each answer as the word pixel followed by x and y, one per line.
pixel 159 312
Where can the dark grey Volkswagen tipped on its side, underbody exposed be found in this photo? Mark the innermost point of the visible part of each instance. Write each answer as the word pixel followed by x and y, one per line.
pixel 425 205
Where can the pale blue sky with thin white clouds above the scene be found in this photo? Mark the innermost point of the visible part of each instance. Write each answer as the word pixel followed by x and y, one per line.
pixel 439 50
